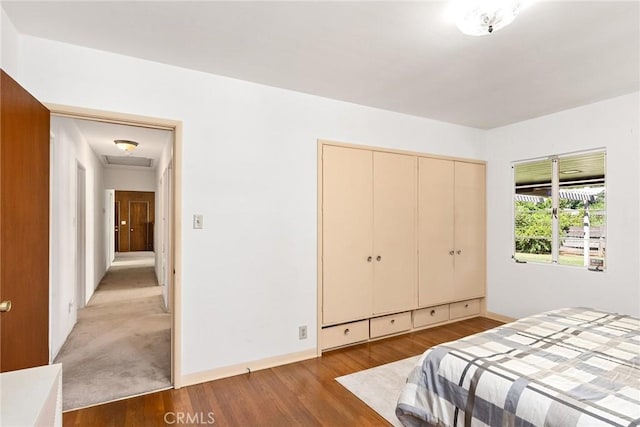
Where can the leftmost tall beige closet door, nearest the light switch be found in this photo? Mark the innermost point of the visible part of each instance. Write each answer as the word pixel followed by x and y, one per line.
pixel 347 228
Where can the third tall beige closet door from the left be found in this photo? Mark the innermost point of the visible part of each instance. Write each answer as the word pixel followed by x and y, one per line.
pixel 435 231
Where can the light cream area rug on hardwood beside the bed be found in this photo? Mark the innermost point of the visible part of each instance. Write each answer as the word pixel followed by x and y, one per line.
pixel 380 387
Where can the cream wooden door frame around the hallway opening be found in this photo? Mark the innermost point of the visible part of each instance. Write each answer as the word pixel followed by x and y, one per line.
pixel 175 238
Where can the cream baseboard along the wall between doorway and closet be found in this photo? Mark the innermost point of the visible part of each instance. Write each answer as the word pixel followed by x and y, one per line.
pixel 243 368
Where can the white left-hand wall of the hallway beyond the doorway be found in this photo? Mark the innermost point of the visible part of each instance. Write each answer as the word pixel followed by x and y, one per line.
pixel 68 149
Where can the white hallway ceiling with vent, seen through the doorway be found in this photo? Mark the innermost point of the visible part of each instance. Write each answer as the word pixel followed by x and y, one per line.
pixel 100 136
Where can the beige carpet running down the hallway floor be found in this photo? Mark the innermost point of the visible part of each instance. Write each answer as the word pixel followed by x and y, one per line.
pixel 121 344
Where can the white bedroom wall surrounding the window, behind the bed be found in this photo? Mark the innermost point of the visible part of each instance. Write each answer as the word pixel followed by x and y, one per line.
pixel 518 290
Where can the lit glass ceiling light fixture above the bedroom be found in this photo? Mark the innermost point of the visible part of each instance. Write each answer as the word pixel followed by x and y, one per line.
pixel 479 18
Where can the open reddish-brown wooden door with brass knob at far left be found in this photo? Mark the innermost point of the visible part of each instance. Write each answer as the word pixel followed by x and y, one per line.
pixel 24 227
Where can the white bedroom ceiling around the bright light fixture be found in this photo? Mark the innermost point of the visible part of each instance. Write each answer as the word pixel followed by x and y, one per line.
pixel 399 56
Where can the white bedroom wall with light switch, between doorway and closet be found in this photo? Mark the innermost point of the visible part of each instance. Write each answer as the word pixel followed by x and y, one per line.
pixel 250 167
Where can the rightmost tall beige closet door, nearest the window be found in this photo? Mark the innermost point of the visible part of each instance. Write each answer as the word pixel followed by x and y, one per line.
pixel 470 230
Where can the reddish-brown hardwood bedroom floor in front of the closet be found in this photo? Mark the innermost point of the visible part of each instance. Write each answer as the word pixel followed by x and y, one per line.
pixel 299 394
